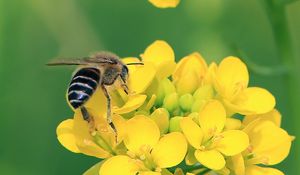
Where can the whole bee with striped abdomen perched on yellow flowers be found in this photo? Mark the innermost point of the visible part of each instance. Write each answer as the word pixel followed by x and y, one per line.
pixel 99 70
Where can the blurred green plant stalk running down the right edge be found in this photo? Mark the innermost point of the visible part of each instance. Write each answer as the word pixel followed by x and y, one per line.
pixel 276 11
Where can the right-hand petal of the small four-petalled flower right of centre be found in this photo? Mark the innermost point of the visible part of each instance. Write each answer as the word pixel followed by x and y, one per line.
pixel 233 142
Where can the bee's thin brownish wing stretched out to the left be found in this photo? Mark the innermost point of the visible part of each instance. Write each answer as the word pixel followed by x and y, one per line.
pixel 78 61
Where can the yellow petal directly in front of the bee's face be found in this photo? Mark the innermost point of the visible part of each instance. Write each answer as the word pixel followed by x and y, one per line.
pixel 140 77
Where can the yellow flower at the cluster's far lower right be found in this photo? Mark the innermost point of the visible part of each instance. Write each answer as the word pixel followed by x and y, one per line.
pixel 269 145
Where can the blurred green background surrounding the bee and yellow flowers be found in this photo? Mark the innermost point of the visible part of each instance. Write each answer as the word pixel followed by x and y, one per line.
pixel 32 32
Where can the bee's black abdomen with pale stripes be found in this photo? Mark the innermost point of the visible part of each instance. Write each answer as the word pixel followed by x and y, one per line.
pixel 82 86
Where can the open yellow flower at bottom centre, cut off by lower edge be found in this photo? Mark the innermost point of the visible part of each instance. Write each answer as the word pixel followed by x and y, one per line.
pixel 148 152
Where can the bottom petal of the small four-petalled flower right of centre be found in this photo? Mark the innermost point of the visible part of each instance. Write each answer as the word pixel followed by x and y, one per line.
pixel 211 159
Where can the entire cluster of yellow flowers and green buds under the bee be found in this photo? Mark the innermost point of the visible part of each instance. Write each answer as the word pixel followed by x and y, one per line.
pixel 181 118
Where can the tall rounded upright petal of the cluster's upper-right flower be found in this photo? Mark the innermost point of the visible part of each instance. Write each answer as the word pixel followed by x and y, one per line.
pixel 231 77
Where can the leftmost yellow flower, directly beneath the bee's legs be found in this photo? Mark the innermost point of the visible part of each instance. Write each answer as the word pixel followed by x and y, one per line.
pixel 78 136
